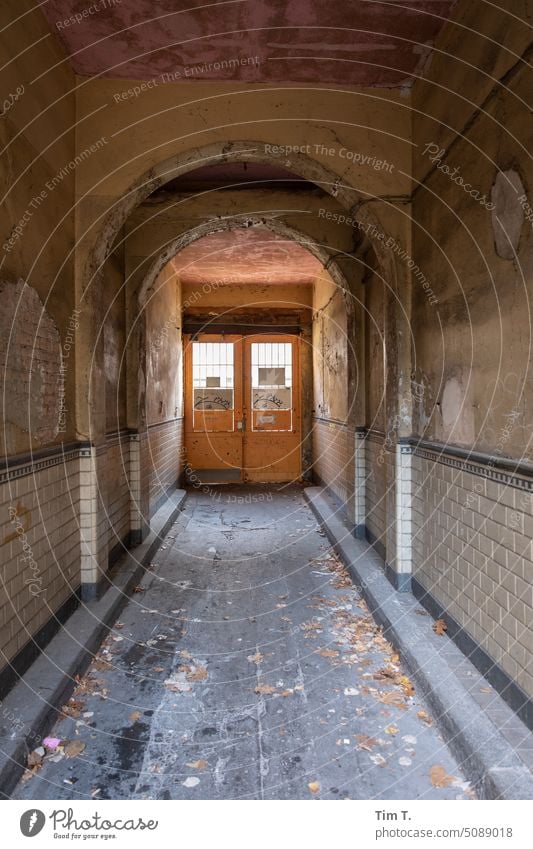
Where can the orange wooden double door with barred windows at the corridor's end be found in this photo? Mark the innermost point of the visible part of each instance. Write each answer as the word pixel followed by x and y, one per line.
pixel 242 407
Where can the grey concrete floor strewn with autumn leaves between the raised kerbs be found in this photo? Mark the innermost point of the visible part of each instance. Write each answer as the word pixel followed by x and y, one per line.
pixel 246 666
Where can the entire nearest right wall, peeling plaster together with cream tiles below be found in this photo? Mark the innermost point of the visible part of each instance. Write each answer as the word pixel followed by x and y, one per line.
pixel 471 524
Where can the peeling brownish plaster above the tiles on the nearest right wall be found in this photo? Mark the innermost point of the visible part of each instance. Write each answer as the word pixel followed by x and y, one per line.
pixel 471 348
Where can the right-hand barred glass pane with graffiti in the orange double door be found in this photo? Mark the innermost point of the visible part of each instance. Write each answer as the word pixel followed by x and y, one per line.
pixel 271 386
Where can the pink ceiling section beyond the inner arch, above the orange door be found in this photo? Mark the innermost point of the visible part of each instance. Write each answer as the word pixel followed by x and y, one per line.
pixel 253 255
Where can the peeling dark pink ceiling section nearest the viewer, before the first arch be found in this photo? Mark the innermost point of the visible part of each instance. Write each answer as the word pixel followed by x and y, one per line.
pixel 344 42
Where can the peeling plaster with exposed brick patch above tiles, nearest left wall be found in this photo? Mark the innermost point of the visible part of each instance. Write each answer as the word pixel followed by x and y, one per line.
pixel 36 218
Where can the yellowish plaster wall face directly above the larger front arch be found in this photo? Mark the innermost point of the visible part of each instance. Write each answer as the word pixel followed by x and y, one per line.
pixel 293 115
